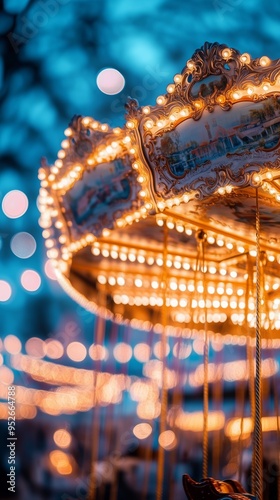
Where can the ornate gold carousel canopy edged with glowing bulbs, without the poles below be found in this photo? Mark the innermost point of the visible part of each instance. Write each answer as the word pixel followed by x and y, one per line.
pixel 190 163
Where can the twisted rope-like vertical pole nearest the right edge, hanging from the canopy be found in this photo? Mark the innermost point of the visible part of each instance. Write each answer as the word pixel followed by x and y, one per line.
pixel 258 455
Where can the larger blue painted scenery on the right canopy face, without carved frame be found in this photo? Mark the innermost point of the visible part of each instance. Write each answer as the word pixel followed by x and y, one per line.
pixel 217 135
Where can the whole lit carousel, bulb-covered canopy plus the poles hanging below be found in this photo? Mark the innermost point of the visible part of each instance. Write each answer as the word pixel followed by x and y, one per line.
pixel 170 225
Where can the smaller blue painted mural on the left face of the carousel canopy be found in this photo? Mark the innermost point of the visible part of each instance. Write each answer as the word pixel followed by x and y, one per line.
pixel 103 192
